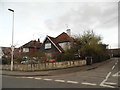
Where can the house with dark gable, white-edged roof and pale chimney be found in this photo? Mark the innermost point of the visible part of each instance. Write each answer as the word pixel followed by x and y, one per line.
pixel 53 46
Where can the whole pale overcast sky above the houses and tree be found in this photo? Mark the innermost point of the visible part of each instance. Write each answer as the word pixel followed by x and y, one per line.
pixel 35 20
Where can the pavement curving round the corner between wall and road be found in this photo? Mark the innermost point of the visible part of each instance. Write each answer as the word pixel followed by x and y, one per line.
pixel 54 72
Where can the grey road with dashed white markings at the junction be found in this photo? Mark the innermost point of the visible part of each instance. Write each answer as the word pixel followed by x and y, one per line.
pixel 105 76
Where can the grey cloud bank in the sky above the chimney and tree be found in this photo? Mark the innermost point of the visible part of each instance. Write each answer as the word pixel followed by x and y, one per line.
pixel 85 15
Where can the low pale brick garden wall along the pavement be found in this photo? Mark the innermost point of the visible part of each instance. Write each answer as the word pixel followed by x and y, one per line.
pixel 45 66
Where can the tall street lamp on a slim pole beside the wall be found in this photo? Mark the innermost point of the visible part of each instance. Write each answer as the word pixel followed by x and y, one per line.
pixel 12 47
